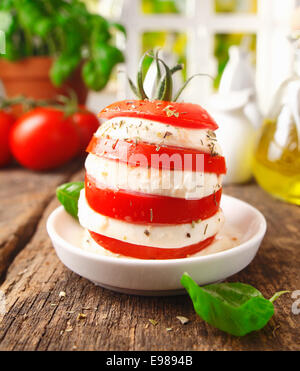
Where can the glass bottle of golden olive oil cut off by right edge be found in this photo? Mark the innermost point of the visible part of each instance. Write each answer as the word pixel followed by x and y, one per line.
pixel 277 158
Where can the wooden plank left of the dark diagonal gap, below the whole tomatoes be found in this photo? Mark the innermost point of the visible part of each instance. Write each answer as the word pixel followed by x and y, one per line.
pixel 24 196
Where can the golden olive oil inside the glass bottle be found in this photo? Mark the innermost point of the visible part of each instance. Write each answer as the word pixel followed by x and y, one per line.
pixel 277 159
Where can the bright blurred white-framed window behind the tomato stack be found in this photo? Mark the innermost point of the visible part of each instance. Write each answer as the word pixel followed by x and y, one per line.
pixel 200 34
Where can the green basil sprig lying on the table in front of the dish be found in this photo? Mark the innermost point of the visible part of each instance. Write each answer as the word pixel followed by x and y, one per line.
pixel 235 308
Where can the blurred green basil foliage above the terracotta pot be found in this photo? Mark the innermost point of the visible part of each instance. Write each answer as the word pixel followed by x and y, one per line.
pixel 66 31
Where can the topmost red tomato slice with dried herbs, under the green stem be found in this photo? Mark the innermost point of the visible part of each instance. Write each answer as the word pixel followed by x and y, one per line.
pixel 186 115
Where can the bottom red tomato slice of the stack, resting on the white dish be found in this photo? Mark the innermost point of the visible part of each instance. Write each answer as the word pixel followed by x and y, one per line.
pixel 146 252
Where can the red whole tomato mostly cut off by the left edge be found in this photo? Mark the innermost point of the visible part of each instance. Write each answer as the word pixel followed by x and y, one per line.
pixel 6 122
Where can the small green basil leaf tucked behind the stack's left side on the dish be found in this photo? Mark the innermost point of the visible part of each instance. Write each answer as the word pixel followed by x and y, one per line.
pixel 68 195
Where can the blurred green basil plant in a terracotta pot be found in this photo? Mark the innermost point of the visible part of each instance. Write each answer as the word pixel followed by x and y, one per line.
pixel 52 46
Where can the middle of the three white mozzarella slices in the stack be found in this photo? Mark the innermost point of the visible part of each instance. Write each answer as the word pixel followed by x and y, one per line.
pixel 181 184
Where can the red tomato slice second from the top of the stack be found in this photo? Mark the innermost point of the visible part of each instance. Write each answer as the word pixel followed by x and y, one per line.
pixel 128 152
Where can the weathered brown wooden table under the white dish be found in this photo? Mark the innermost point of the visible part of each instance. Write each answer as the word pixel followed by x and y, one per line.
pixel 32 277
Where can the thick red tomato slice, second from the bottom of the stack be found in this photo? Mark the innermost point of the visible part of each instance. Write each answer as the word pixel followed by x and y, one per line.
pixel 139 208
